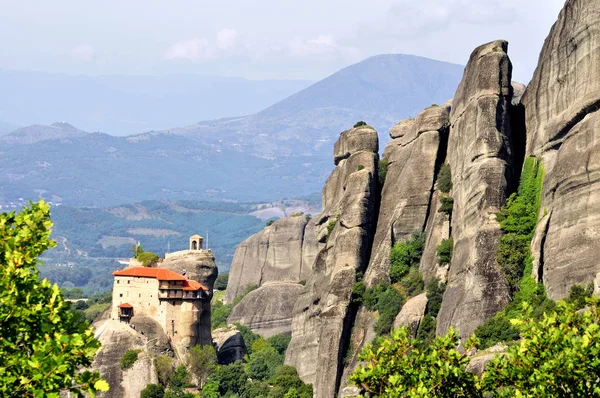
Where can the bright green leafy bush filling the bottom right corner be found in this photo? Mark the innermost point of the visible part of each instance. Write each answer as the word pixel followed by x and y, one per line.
pixel 556 357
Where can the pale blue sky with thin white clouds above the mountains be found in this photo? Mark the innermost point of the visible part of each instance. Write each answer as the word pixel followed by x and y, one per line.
pixel 261 39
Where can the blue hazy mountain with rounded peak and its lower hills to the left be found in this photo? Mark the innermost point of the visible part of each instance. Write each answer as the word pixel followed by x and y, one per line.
pixel 280 152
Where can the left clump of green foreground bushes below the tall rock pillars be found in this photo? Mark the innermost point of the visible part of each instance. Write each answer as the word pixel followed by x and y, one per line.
pixel 400 367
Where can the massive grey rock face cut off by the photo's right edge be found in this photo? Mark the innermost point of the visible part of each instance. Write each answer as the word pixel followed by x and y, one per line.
pixel 563 128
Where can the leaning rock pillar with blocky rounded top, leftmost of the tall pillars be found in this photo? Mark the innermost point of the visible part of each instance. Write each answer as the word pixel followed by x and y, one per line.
pixel 322 318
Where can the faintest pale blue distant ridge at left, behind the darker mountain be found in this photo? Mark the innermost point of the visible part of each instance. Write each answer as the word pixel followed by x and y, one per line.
pixel 122 105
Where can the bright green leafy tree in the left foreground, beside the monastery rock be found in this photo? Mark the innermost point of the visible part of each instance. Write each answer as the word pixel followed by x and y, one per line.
pixel 43 344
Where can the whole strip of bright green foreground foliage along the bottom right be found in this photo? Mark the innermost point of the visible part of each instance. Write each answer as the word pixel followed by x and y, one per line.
pixel 555 357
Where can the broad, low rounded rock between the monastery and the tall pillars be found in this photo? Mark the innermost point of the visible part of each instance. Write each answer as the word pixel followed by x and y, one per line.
pixel 276 259
